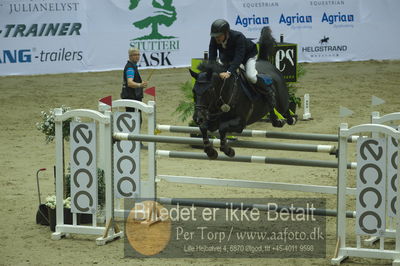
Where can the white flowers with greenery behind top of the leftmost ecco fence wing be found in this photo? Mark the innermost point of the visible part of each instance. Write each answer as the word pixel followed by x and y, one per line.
pixel 47 125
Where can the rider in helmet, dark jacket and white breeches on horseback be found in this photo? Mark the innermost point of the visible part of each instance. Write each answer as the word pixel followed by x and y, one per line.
pixel 235 49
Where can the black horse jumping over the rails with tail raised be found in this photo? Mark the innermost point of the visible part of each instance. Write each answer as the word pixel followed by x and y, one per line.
pixel 222 105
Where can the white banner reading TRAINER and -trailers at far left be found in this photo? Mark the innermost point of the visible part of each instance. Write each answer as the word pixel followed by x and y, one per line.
pixel 45 36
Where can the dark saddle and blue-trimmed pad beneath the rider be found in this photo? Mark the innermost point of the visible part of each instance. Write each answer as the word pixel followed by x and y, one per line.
pixel 252 91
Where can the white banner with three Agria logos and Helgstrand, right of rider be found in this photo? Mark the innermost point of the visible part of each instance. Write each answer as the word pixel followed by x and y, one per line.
pixel 335 30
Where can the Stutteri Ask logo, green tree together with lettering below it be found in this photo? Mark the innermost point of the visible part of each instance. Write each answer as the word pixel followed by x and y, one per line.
pixel 157 48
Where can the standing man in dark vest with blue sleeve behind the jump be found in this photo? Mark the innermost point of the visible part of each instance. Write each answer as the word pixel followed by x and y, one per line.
pixel 133 85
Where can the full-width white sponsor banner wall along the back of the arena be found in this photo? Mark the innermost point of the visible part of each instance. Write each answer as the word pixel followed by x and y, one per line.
pixel 58 36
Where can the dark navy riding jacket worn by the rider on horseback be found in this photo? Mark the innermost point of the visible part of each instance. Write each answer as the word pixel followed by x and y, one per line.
pixel 238 50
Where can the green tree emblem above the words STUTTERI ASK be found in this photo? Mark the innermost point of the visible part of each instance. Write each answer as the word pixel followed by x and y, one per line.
pixel 163 14
